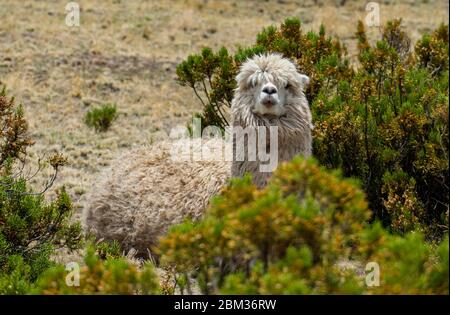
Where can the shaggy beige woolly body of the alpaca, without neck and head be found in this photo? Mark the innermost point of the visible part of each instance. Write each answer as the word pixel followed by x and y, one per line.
pixel 144 192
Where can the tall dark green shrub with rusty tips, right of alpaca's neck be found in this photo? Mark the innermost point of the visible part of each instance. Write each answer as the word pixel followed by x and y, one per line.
pixel 388 126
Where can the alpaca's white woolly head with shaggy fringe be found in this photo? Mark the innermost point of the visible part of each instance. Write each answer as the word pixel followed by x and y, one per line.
pixel 270 84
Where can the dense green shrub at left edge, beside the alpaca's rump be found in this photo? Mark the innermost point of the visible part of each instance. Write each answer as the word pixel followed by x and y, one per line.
pixel 30 231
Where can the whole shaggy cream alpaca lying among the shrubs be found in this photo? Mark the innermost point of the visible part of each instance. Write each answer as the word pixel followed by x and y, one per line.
pixel 144 192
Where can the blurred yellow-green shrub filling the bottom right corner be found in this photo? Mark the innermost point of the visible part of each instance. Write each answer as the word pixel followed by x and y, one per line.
pixel 408 265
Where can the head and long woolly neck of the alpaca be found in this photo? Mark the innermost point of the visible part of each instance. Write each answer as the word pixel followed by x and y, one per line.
pixel 270 92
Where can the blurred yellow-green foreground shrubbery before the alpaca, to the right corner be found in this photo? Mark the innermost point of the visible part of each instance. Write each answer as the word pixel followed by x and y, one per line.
pixel 295 236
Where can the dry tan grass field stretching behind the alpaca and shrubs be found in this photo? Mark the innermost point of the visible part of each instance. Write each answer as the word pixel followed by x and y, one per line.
pixel 125 52
